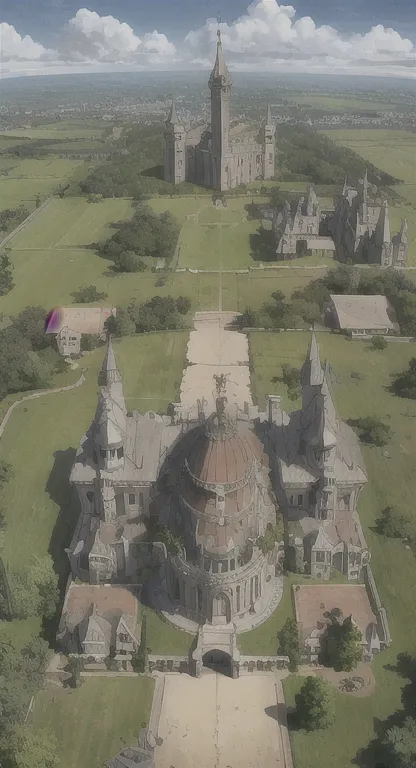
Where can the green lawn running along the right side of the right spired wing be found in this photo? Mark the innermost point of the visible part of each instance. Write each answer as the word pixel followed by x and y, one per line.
pixel 391 481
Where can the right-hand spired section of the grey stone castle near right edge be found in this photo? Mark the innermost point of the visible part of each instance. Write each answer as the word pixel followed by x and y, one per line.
pixel 360 227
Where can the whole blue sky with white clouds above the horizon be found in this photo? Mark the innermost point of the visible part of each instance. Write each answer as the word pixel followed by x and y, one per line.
pixel 371 37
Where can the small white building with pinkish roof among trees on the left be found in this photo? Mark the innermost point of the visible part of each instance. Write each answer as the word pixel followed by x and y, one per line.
pixel 73 322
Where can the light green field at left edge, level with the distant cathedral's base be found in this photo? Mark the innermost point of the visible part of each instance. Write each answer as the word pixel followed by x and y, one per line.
pixel 29 178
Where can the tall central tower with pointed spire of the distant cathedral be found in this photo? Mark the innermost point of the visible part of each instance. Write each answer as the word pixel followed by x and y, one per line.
pixel 220 85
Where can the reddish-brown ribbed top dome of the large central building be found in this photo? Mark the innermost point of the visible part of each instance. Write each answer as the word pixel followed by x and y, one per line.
pixel 224 456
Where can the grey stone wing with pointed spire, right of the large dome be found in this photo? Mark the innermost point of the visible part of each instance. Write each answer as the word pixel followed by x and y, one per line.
pixel 319 474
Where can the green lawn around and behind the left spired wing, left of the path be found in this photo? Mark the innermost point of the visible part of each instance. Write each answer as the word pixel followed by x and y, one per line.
pixel 42 436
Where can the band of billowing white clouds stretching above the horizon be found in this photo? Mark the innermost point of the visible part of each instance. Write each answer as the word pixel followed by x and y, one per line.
pixel 267 37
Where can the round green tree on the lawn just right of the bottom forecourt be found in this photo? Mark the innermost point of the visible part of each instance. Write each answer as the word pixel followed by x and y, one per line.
pixel 315 706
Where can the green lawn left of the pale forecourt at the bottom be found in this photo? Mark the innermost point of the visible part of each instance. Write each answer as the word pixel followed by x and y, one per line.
pixel 92 723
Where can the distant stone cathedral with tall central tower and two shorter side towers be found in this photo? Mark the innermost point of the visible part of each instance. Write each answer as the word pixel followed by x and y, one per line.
pixel 209 155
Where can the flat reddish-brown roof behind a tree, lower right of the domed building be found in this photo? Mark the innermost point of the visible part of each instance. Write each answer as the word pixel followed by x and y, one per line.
pixel 313 601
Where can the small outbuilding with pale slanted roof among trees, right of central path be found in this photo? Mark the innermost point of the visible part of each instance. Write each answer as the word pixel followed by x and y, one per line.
pixel 362 315
